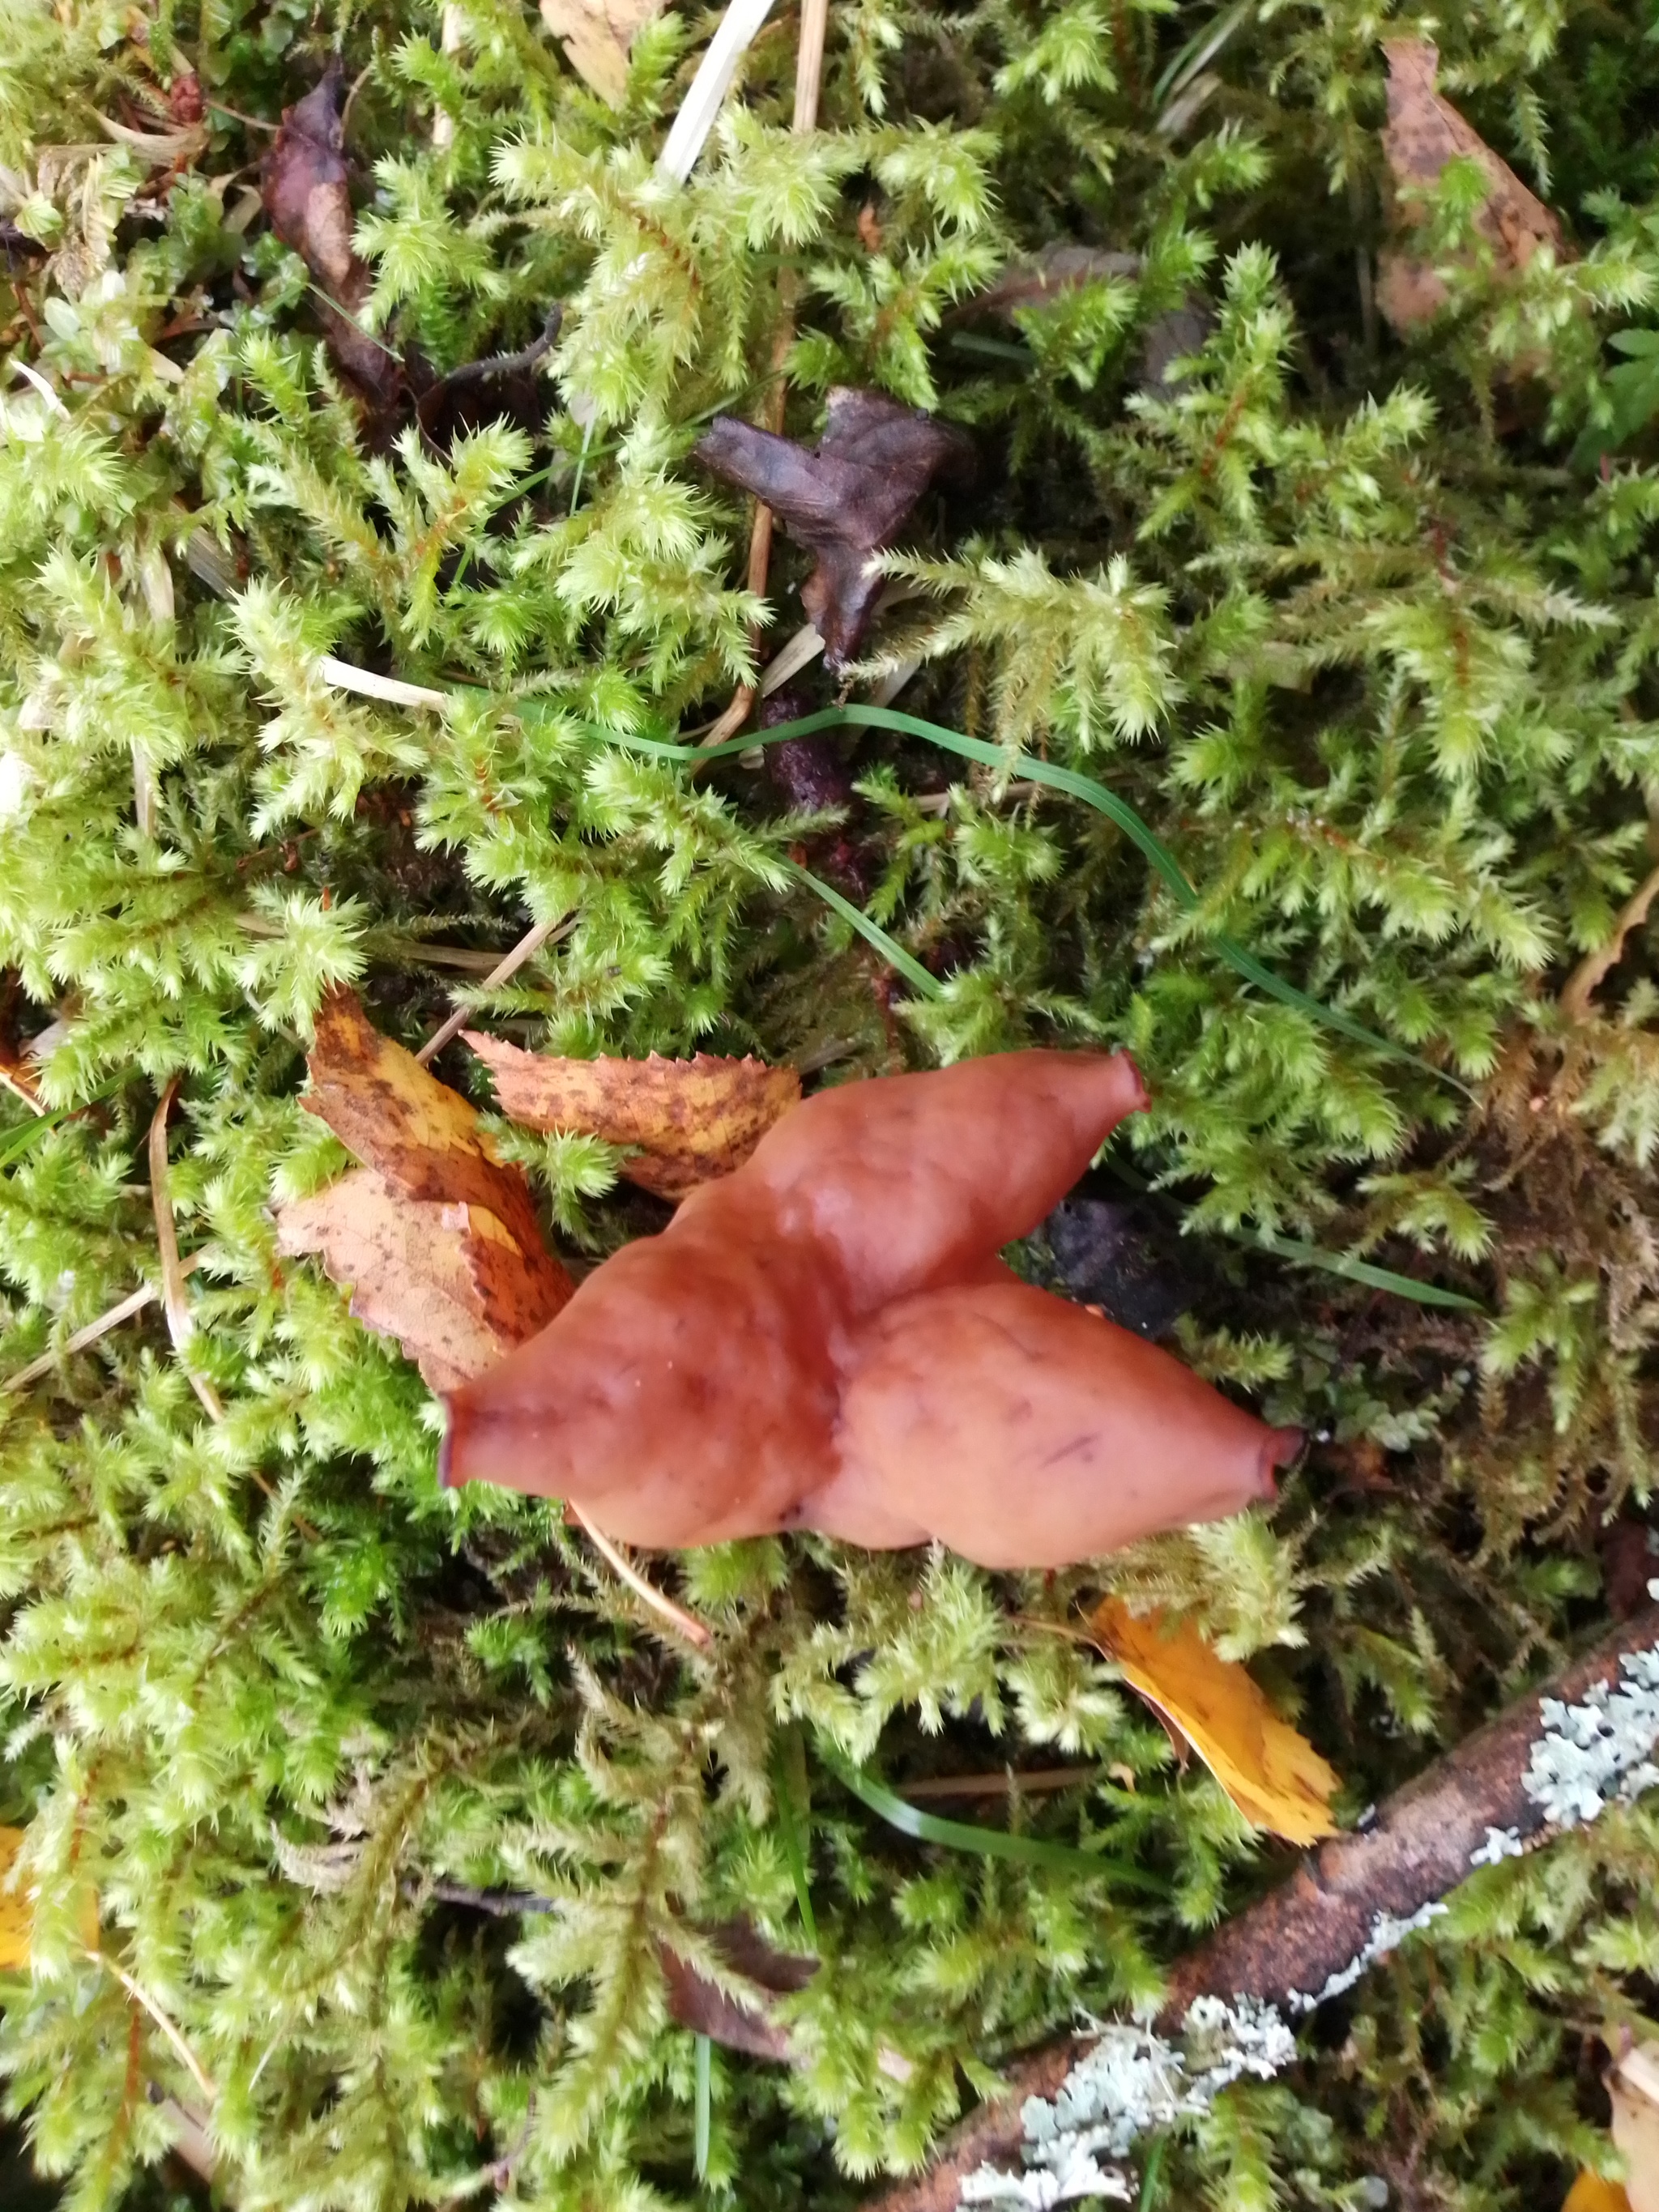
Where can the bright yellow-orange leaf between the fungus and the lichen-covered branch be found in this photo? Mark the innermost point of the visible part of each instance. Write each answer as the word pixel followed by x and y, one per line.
pixel 1273 1775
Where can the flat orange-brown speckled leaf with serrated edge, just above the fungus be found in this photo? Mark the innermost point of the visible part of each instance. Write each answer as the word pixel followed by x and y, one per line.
pixel 689 1120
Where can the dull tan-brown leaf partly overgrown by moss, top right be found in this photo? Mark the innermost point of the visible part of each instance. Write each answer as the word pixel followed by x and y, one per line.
pixel 1421 138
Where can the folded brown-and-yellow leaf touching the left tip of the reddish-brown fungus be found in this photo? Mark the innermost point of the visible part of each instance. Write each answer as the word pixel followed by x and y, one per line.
pixel 437 1238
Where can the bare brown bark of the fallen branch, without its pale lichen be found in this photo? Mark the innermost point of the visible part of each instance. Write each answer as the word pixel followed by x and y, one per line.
pixel 1319 1921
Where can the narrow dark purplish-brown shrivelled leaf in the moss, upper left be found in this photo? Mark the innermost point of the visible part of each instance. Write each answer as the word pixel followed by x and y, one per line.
pixel 306 187
